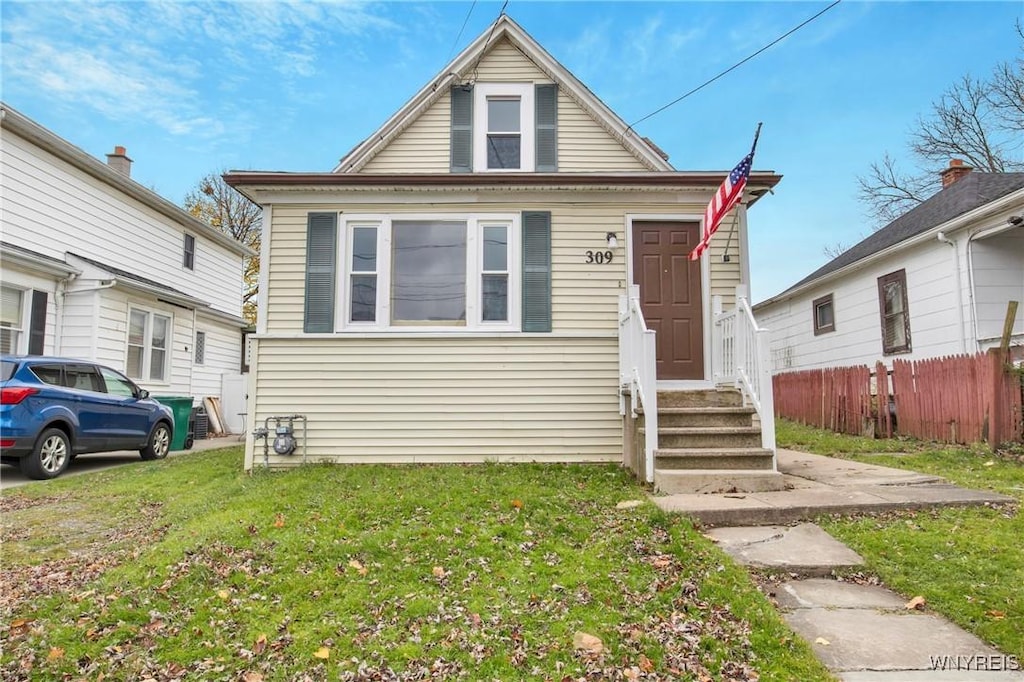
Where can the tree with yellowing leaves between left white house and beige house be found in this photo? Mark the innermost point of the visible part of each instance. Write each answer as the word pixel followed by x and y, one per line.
pixel 218 204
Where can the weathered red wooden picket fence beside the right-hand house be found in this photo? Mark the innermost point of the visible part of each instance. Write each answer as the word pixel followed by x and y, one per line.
pixel 963 399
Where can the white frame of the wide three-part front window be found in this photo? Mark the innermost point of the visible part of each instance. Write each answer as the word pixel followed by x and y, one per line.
pixel 475 272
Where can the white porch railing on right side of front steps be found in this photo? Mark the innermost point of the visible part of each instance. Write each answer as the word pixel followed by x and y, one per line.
pixel 741 357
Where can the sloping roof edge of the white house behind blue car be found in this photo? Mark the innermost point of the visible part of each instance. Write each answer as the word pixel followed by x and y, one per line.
pixel 25 127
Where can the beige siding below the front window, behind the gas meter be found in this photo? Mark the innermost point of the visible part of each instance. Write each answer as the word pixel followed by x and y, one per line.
pixel 432 400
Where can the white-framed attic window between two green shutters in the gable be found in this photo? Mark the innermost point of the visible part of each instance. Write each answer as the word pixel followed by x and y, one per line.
pixel 503 141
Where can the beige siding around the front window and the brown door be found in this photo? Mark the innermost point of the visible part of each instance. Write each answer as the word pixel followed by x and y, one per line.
pixel 585 296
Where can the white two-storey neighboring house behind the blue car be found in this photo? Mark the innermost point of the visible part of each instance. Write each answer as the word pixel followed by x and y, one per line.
pixel 97 267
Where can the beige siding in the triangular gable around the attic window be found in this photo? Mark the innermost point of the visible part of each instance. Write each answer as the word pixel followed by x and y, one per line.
pixel 583 145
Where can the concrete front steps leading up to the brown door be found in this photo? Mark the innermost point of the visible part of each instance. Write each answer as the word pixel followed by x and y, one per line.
pixel 709 443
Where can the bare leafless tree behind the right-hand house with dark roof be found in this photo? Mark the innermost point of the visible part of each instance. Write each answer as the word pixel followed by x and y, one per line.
pixel 979 121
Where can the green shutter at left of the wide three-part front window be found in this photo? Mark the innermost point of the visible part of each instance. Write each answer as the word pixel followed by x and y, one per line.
pixel 322 252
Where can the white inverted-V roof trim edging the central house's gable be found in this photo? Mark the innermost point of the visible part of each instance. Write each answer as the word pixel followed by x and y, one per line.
pixel 456 72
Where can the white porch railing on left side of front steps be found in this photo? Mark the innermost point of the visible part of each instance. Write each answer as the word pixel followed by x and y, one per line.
pixel 637 372
